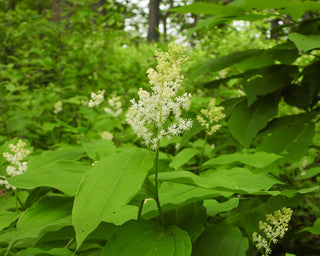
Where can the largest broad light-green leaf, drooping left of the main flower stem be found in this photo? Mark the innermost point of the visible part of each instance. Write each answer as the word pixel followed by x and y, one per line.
pixel 107 188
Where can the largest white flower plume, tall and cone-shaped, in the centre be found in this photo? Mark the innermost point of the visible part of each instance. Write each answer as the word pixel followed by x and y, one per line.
pixel 149 116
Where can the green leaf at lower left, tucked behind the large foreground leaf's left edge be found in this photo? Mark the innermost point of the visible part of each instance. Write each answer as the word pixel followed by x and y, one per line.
pixel 49 214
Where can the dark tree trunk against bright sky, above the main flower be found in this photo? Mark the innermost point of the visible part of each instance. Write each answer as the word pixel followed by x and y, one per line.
pixel 154 18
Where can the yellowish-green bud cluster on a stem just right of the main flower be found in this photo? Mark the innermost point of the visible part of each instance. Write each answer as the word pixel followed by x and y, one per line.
pixel 210 116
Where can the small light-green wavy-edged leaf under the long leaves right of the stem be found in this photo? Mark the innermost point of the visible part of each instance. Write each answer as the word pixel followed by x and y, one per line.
pixel 214 207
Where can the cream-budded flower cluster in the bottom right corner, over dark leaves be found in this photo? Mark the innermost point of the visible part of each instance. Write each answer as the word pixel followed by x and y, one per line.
pixel 275 228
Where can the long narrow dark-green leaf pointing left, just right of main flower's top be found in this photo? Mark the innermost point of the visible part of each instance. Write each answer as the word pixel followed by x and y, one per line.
pixel 223 62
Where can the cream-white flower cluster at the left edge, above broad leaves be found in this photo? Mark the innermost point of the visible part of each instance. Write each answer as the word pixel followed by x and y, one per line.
pixel 17 167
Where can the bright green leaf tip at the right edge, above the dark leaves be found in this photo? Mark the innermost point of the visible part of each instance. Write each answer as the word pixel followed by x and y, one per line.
pixel 305 43
